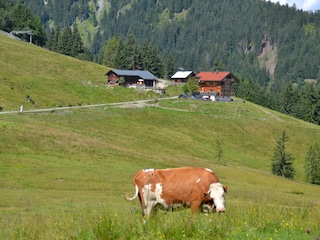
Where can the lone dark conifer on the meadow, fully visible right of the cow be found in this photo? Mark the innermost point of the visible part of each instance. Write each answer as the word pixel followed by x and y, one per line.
pixel 282 162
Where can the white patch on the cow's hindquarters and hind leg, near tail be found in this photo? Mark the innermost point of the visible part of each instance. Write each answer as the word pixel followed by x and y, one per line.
pixel 151 198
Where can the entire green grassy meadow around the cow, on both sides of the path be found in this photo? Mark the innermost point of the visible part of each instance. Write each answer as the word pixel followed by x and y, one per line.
pixel 63 174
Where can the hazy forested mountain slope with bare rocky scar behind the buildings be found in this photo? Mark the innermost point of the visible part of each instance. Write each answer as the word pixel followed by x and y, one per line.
pixel 249 37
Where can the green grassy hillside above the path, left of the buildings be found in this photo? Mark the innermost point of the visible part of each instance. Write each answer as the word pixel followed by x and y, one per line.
pixel 51 79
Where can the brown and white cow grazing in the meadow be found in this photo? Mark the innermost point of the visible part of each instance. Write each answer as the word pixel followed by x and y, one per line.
pixel 187 186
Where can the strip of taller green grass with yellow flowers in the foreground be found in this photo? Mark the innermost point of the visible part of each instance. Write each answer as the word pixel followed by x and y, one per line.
pixel 252 221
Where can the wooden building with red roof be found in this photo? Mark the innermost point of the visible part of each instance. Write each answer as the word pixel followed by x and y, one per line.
pixel 218 82
